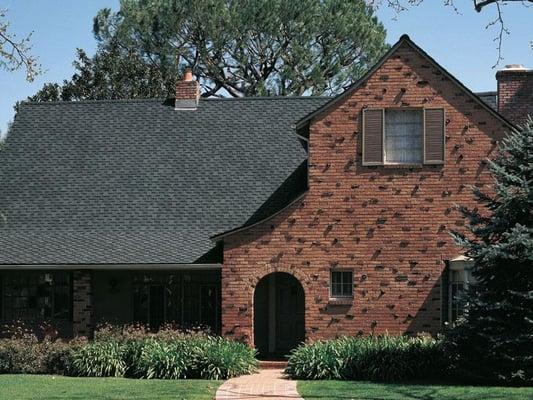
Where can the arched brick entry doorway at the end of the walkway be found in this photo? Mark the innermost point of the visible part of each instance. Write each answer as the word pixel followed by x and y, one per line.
pixel 279 315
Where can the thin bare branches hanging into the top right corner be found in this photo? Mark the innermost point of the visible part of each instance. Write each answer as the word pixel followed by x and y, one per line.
pixel 478 5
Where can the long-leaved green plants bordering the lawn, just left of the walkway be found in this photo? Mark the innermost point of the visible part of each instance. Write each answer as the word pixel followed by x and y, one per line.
pixel 168 354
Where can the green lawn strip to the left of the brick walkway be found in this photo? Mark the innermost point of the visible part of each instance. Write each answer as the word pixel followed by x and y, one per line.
pixel 50 387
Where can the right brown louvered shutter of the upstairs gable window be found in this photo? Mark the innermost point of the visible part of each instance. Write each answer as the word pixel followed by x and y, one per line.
pixel 433 136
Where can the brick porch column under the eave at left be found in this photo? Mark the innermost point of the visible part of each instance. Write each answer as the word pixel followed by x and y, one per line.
pixel 82 304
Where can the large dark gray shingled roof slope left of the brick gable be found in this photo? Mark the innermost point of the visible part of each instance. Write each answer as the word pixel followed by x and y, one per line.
pixel 135 181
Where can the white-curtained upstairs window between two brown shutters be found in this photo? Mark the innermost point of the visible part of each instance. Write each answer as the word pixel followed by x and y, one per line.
pixel 403 136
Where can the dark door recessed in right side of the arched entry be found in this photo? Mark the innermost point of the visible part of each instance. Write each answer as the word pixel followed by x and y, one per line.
pixel 289 313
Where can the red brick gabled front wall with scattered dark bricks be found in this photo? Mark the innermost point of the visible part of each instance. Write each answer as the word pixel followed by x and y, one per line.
pixel 389 224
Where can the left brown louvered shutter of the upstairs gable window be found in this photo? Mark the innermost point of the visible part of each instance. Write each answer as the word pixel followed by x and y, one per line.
pixel 372 136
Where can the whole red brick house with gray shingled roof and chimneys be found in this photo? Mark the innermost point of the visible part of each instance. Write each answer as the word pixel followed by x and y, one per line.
pixel 269 220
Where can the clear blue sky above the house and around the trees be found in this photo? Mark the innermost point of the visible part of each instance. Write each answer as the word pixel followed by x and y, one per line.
pixel 459 42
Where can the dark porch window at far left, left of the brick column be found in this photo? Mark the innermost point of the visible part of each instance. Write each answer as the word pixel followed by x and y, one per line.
pixel 36 295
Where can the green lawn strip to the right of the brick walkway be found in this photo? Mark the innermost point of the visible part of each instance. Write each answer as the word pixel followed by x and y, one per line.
pixel 339 390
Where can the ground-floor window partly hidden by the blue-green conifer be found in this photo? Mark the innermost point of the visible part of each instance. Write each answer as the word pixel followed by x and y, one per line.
pixel 459 278
